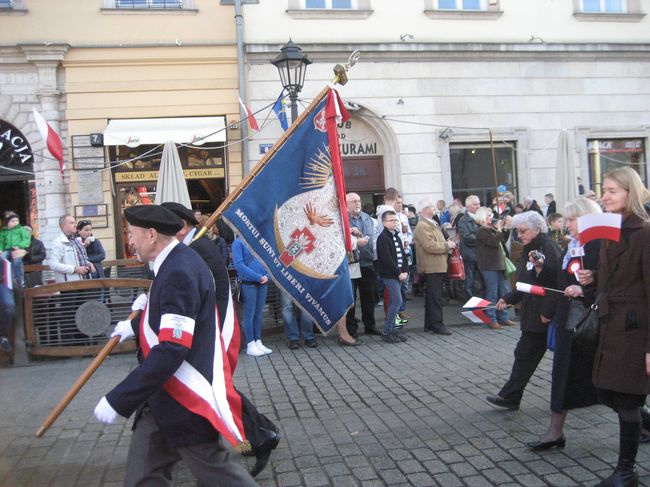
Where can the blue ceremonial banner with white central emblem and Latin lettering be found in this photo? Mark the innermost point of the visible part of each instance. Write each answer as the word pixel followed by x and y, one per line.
pixel 290 216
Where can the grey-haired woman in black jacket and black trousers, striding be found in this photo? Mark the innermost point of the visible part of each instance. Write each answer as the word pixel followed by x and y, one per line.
pixel 538 266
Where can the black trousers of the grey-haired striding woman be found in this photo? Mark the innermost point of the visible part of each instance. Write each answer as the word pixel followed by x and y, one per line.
pixel 529 351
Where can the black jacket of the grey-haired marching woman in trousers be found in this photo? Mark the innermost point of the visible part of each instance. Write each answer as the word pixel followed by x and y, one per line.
pixel 533 306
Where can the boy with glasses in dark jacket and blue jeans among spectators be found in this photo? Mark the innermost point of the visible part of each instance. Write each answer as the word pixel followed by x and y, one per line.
pixel 392 266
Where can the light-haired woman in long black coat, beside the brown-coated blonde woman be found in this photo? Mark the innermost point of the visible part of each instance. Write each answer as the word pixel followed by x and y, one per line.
pixel 571 386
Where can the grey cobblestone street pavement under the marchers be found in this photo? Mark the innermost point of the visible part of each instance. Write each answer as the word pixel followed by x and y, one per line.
pixel 378 414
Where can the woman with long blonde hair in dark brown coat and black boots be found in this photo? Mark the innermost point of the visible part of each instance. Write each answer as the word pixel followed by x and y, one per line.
pixel 622 364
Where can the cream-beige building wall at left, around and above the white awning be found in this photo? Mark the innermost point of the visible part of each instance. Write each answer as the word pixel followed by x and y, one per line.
pixel 117 64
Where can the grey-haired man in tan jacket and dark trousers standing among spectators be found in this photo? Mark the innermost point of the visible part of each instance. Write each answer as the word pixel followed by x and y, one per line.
pixel 432 249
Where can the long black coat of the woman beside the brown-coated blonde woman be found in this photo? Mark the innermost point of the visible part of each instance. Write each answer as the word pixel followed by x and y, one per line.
pixel 571 386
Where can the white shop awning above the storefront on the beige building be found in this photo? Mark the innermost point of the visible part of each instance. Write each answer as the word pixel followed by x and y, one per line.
pixel 186 130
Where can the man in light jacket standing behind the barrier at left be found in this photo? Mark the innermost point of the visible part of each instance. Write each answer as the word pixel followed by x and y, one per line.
pixel 68 257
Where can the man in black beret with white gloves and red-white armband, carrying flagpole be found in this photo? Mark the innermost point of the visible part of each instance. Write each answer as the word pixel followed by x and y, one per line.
pixel 178 349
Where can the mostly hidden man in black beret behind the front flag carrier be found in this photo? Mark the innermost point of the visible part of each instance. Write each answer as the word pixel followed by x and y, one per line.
pixel 262 434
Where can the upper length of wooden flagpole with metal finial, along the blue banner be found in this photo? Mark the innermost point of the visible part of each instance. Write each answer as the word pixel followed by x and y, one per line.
pixel 340 77
